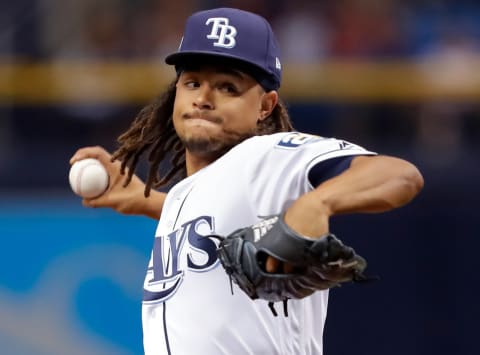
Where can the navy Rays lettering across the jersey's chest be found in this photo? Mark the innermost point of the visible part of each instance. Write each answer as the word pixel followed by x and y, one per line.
pixel 165 274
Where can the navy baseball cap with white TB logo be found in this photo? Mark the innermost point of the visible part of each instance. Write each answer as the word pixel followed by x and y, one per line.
pixel 231 36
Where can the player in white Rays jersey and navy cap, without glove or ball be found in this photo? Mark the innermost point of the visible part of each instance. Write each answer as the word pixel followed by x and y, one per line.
pixel 235 158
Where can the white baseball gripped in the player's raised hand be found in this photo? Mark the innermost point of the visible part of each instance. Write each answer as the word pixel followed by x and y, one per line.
pixel 88 178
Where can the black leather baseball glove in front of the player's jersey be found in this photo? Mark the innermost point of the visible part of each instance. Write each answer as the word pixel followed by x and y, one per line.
pixel 316 264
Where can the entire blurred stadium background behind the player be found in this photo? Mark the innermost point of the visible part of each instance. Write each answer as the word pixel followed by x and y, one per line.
pixel 397 77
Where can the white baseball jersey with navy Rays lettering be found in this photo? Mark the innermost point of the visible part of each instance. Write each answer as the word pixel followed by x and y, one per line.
pixel 188 307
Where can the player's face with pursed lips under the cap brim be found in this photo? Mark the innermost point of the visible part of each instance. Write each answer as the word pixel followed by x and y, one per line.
pixel 215 109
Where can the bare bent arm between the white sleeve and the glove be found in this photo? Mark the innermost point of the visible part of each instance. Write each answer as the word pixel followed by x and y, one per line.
pixel 370 185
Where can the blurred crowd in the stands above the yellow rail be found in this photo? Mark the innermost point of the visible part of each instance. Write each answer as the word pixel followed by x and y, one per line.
pixel 308 30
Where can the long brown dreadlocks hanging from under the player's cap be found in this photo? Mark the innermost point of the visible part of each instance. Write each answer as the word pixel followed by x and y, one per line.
pixel 152 132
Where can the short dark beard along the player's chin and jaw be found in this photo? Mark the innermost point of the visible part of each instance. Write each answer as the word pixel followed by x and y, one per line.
pixel 214 147
